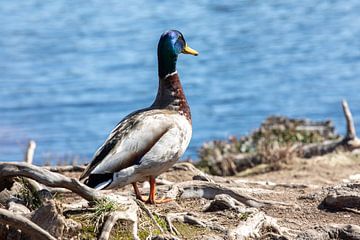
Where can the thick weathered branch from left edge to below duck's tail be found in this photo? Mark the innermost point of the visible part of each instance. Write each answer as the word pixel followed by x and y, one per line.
pixel 48 178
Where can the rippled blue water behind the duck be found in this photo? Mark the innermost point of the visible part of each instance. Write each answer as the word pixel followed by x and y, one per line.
pixel 70 70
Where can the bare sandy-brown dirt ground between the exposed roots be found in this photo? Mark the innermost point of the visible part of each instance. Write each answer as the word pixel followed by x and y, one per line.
pixel 302 183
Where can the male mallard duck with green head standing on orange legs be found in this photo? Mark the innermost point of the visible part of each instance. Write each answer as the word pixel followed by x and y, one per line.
pixel 149 141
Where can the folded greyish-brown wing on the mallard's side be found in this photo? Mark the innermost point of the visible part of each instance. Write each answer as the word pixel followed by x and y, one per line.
pixel 129 142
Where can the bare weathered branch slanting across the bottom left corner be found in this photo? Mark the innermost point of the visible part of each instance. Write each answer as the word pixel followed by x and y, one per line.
pixel 25 225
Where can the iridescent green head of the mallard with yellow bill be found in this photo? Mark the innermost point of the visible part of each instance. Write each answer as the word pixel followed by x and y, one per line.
pixel 171 44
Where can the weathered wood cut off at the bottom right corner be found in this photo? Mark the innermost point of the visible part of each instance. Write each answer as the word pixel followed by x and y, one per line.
pixel 335 231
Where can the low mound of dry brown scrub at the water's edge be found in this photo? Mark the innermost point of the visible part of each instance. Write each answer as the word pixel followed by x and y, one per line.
pixel 274 143
